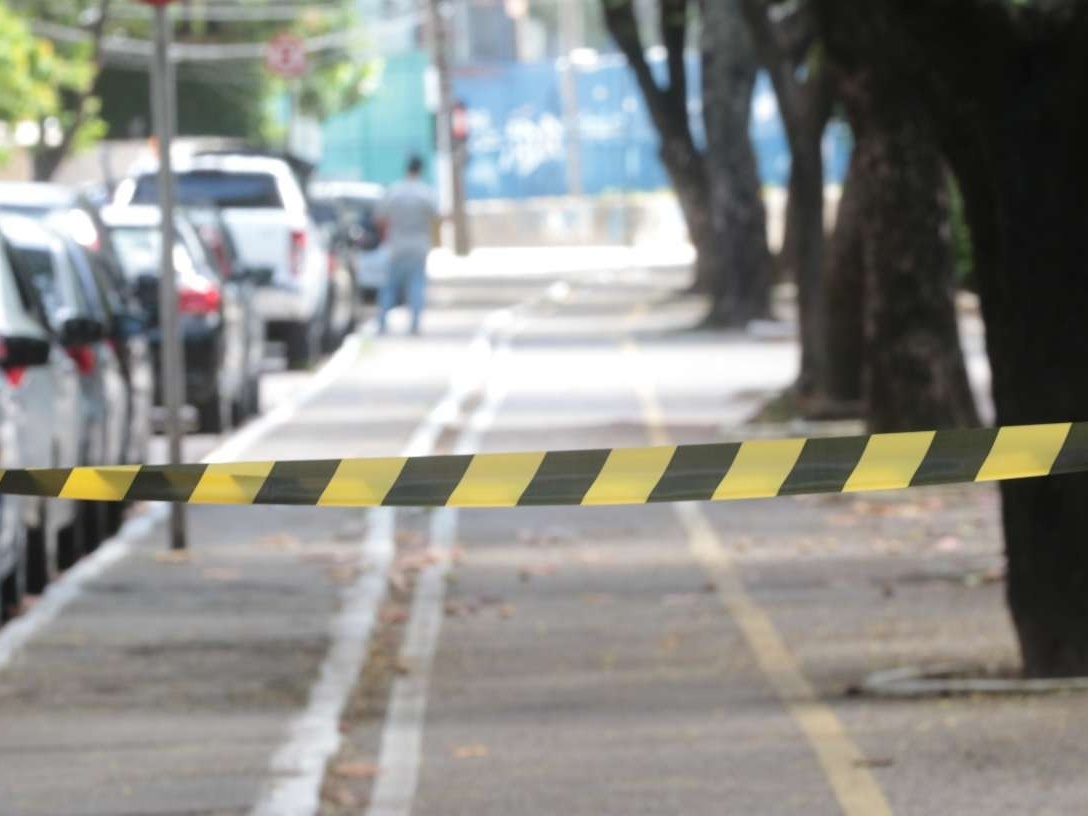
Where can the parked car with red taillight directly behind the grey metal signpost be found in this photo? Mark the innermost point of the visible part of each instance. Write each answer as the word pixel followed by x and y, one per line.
pixel 220 328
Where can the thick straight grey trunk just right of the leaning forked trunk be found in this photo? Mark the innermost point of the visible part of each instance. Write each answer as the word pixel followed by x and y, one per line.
pixel 738 220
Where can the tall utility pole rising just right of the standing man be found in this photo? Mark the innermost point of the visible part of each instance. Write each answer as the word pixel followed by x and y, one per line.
pixel 451 152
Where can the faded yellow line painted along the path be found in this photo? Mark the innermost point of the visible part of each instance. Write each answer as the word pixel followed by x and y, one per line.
pixel 843 762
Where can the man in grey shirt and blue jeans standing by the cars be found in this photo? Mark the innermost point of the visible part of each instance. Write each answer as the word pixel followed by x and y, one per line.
pixel 407 215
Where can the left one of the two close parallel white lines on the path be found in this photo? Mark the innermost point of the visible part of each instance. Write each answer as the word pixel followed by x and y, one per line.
pixel 299 766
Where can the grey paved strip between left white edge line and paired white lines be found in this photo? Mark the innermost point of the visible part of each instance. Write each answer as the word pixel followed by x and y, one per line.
pixel 168 686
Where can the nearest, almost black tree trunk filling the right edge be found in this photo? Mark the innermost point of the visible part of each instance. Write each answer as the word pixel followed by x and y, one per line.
pixel 1007 92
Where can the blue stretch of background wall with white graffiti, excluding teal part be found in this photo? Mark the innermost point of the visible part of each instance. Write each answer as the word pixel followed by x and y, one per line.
pixel 517 147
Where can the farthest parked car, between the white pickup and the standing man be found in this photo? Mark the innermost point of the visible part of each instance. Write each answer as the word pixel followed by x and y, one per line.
pixel 352 211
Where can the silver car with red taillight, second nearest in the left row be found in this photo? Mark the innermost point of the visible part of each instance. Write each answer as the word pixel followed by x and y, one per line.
pixel 59 270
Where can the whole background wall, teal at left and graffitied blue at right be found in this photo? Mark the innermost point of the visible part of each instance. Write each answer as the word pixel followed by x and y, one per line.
pixel 517 146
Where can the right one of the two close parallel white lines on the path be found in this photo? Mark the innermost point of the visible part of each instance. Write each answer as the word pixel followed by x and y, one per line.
pixel 403 733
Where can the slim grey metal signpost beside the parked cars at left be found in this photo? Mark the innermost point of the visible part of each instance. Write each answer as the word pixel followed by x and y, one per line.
pixel 171 342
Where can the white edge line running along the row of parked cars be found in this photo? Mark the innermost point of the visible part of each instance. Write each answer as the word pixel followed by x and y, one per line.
pixel 68 588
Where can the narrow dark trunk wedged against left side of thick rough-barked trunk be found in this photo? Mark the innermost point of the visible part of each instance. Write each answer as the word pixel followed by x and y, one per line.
pixel 845 294
